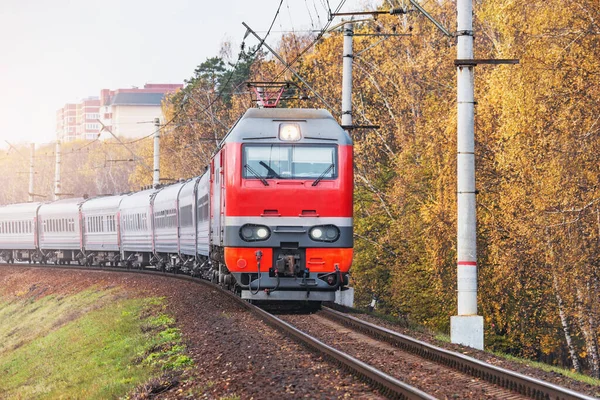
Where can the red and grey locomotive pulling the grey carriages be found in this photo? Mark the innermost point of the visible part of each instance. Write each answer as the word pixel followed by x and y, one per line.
pixel 281 192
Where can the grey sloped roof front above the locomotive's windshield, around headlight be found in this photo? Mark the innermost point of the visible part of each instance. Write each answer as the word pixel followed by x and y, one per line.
pixel 259 124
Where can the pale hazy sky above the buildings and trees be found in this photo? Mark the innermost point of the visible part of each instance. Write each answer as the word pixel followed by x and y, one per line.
pixel 60 51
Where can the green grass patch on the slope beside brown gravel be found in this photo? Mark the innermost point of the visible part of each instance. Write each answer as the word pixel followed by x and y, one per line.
pixel 50 350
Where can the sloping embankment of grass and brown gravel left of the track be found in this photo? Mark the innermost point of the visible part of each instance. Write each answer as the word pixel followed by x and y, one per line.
pixel 232 354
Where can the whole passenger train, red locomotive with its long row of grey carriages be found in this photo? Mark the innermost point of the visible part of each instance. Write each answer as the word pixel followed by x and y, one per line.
pixel 271 218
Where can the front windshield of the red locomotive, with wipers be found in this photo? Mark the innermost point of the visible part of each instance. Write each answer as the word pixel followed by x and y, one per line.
pixel 289 161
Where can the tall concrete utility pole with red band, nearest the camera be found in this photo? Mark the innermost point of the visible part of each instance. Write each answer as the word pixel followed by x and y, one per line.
pixel 467 326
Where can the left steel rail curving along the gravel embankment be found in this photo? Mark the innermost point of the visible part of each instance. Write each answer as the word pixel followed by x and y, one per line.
pixel 388 385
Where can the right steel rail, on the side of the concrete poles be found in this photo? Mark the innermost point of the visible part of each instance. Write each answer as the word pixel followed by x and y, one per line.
pixel 522 384
